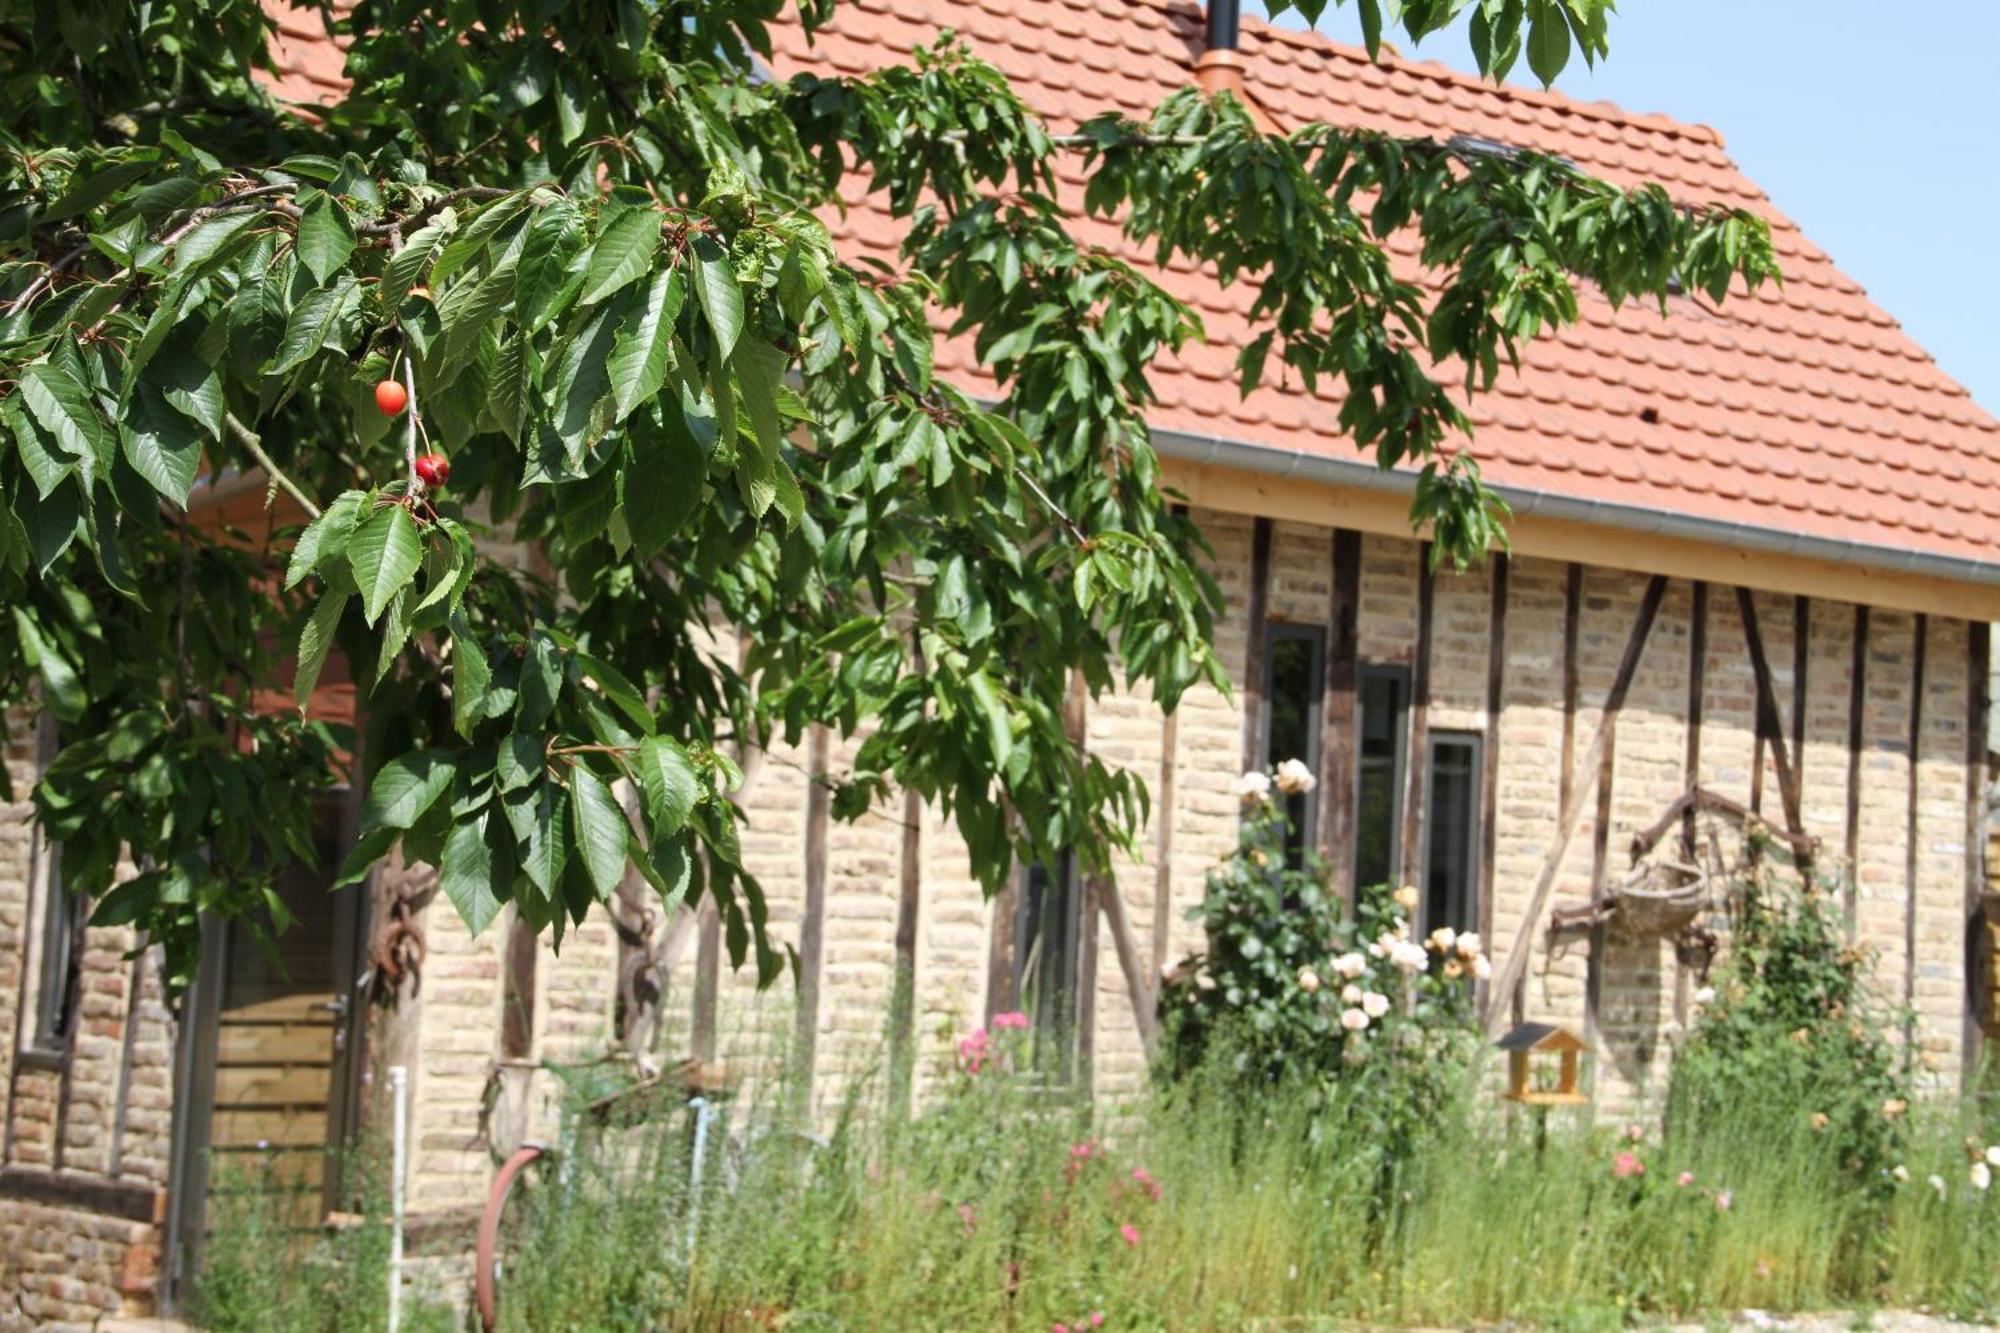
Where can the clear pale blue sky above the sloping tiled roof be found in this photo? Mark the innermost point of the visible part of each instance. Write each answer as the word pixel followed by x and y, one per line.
pixel 1875 127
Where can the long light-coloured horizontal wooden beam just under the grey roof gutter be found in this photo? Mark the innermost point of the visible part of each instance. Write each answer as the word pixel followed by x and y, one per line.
pixel 1559 539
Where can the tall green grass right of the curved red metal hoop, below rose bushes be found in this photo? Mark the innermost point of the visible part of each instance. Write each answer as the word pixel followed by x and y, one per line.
pixel 1007 1208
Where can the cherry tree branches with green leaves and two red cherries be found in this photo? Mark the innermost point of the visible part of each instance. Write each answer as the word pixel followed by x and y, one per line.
pixel 543 349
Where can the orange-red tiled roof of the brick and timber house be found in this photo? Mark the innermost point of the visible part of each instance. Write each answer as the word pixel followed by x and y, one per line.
pixel 1803 411
